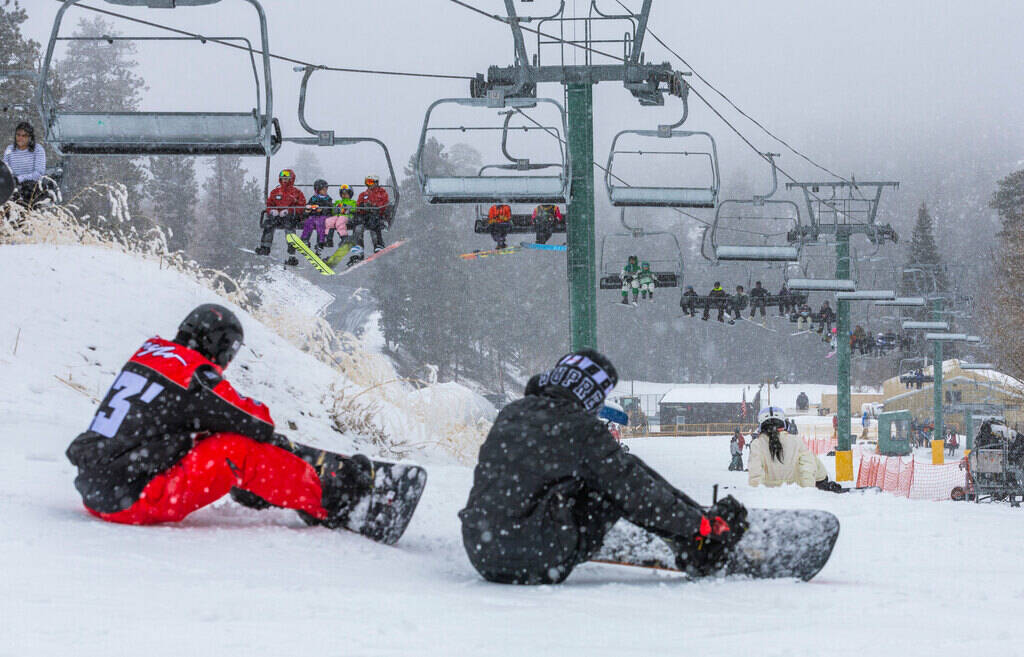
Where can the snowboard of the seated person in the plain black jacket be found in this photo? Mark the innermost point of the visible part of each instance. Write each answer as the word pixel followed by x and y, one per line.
pixel 780 545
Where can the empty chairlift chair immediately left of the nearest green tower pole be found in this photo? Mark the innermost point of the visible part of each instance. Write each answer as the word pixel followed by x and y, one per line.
pixel 550 188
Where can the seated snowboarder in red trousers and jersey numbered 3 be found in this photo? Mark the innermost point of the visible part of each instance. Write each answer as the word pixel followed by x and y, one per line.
pixel 173 436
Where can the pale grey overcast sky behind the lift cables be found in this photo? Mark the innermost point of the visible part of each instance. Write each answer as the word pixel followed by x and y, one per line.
pixel 905 90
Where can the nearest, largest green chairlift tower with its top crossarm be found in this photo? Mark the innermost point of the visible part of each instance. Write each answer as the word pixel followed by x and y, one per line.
pixel 649 83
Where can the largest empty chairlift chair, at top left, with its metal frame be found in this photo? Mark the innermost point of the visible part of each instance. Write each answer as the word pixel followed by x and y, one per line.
pixel 254 133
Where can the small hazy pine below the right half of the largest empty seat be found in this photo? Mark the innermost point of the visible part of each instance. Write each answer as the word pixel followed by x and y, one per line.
pixel 174 193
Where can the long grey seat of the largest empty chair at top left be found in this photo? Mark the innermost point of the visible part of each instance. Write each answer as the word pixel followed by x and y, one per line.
pixel 158 134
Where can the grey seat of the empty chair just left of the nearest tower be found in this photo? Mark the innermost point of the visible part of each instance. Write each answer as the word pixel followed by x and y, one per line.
pixel 495 190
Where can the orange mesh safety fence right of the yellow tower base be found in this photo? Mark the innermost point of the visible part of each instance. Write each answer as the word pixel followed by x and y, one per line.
pixel 910 478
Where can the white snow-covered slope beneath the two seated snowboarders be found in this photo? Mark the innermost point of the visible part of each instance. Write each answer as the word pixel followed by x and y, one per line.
pixel 908 579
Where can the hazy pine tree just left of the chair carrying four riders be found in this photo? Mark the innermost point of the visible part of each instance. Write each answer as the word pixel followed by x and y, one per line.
pixel 230 214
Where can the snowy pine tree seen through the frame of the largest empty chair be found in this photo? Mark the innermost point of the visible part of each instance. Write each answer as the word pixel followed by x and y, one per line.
pixel 100 76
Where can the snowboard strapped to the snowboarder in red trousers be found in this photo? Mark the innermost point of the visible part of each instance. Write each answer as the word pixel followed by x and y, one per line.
pixel 387 511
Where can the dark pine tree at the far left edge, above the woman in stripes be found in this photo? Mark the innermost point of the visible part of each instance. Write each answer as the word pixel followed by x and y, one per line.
pixel 17 54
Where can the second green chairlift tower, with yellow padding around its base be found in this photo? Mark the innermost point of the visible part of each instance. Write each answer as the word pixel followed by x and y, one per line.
pixel 842 209
